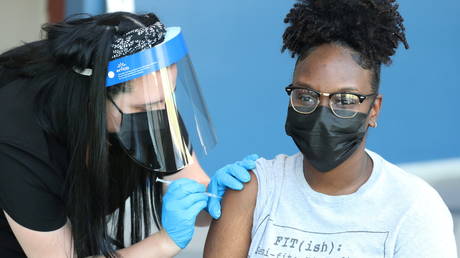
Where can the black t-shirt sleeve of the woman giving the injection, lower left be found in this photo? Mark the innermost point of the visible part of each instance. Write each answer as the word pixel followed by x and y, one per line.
pixel 30 191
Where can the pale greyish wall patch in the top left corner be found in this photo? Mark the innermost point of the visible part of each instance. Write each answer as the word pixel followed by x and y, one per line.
pixel 20 20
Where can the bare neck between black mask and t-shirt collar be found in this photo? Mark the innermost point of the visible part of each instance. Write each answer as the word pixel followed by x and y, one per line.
pixel 347 178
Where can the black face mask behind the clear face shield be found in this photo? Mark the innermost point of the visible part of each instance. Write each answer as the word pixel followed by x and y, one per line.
pixel 135 138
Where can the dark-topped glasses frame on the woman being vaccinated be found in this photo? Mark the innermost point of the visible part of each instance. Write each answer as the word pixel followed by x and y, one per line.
pixel 292 87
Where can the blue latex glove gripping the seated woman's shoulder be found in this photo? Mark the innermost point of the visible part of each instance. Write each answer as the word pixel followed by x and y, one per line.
pixel 229 176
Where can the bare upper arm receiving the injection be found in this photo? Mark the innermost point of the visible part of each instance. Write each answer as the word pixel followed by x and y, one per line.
pixel 230 236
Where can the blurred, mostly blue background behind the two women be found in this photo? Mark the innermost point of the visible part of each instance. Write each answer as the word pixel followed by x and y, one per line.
pixel 235 46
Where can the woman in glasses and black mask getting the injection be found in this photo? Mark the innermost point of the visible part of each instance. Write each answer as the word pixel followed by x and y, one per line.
pixel 335 198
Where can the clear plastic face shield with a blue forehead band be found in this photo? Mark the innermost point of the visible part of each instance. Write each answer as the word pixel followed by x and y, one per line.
pixel 158 110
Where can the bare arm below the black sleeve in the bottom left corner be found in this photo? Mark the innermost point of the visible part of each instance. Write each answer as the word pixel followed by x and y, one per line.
pixel 53 244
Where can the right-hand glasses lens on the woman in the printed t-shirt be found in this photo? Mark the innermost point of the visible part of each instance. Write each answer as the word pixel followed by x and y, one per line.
pixel 345 105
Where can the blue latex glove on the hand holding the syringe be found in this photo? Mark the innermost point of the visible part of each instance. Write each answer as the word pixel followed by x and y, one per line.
pixel 182 202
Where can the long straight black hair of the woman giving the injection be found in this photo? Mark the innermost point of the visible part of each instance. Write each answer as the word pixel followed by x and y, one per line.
pixel 72 108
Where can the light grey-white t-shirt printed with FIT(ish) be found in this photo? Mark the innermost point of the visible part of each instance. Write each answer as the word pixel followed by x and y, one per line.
pixel 393 215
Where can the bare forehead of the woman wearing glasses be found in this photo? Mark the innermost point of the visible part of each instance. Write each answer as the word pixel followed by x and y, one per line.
pixel 330 68
